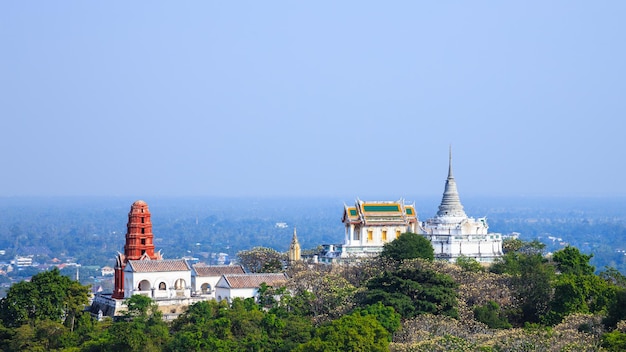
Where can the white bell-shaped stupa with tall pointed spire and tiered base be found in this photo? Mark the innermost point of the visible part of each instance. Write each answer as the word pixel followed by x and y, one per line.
pixel 454 234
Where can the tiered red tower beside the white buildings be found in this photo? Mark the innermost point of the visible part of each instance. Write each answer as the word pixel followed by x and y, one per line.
pixel 139 243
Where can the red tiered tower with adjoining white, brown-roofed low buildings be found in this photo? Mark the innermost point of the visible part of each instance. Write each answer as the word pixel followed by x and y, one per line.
pixel 172 284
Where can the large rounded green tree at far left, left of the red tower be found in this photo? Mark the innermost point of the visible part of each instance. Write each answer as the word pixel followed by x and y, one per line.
pixel 48 296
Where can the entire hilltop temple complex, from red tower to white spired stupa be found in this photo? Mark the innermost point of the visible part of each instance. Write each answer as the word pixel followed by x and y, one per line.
pixel 174 284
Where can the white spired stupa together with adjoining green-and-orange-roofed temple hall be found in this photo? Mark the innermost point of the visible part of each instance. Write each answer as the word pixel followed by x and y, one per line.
pixel 370 225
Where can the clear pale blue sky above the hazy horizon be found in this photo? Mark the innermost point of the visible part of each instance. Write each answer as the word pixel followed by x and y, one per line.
pixel 321 98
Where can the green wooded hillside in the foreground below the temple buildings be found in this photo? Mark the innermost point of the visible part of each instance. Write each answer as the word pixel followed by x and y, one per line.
pixel 402 300
